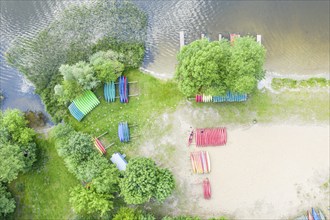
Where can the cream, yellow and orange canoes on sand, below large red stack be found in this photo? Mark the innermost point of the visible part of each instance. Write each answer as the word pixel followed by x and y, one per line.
pixel 200 162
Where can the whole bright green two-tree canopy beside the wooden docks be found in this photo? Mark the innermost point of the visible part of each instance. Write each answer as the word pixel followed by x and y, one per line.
pixel 213 68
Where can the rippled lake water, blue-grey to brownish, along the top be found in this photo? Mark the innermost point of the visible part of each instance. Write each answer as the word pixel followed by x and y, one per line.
pixel 295 34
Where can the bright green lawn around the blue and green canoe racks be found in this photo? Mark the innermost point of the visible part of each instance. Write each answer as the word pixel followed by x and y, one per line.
pixel 155 97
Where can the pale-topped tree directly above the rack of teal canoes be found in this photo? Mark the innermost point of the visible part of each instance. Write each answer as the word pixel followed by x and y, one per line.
pixel 107 66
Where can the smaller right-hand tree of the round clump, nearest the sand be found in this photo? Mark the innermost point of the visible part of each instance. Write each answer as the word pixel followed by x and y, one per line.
pixel 166 184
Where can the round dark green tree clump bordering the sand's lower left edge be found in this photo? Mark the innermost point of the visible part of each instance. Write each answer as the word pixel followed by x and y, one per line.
pixel 142 179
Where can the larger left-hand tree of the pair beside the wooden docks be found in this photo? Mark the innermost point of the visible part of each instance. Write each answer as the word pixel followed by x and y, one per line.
pixel 202 67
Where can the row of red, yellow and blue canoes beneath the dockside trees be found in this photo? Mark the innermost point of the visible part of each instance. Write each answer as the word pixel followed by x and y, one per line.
pixel 229 97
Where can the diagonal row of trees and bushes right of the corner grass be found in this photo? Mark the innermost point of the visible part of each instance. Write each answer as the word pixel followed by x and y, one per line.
pixel 100 177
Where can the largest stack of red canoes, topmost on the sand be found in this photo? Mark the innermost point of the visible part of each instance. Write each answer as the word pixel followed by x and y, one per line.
pixel 211 137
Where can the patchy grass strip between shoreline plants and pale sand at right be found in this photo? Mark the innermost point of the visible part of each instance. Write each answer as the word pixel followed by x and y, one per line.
pixel 264 106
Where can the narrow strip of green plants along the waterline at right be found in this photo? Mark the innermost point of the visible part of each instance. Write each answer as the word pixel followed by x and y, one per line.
pixel 287 83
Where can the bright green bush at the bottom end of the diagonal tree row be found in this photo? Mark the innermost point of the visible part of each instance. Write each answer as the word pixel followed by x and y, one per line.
pixel 87 201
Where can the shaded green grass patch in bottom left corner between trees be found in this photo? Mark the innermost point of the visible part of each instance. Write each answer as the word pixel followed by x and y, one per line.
pixel 43 192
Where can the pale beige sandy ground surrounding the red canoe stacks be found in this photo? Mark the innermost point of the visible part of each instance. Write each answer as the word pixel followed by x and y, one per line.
pixel 264 172
